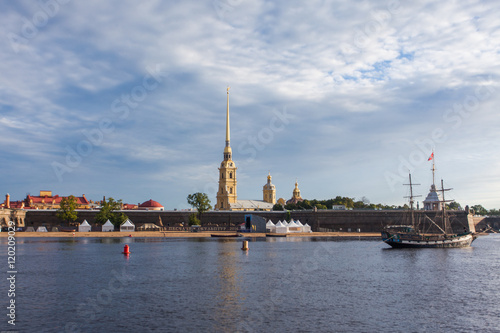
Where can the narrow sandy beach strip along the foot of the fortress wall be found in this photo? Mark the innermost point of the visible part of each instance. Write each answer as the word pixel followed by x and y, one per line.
pixel 181 234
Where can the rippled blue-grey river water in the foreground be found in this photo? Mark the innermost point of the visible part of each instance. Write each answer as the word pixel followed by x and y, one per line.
pixel 279 285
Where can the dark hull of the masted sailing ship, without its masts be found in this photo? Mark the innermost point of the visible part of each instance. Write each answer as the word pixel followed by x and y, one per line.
pixel 454 241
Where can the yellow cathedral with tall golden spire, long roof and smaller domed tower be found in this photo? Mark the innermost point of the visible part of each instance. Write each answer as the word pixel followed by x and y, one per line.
pixel 227 197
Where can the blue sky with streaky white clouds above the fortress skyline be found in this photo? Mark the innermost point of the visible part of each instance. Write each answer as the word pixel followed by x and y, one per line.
pixel 127 99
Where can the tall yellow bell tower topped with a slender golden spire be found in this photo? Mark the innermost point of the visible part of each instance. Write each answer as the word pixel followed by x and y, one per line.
pixel 226 194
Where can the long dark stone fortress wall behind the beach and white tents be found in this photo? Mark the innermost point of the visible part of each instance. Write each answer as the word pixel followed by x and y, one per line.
pixel 333 220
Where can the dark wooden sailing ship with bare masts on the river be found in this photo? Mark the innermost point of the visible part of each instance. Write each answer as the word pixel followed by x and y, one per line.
pixel 425 230
